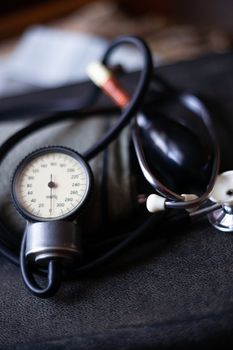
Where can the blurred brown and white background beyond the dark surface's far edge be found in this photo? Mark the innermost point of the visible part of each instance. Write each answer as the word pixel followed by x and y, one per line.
pixel 45 43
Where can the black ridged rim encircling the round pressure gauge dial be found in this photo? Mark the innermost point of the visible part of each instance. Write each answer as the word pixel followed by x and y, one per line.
pixel 44 150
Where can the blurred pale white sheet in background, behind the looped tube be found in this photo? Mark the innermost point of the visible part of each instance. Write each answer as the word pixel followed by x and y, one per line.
pixel 48 57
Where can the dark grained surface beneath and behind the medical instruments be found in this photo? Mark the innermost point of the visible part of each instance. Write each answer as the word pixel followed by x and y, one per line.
pixel 174 291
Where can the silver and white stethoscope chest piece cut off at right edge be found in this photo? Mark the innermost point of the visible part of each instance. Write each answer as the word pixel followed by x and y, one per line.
pixel 222 194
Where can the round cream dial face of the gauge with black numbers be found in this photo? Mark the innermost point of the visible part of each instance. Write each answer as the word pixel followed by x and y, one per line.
pixel 51 184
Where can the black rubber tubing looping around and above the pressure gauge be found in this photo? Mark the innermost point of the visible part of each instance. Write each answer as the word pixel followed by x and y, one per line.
pixel 99 146
